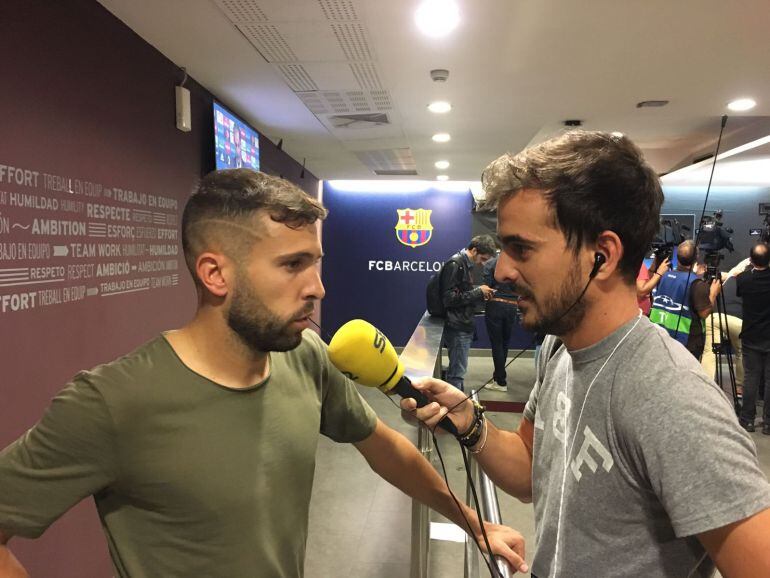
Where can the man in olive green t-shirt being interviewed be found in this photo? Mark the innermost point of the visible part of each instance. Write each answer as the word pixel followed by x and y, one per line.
pixel 199 446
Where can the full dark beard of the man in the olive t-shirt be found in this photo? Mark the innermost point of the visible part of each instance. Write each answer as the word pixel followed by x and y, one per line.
pixel 256 326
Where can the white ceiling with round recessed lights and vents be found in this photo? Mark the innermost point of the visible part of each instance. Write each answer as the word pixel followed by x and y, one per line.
pixel 302 70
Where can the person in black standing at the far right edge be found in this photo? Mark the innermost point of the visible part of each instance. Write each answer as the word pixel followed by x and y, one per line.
pixel 754 287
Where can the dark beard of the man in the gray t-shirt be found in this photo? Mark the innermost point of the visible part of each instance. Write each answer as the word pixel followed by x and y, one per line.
pixel 558 313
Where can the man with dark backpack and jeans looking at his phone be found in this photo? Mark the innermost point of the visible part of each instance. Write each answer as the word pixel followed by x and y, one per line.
pixel 460 299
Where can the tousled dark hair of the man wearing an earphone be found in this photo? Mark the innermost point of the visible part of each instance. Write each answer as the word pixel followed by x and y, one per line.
pixel 592 181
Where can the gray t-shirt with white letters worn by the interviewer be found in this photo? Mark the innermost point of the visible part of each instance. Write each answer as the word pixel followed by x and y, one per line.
pixel 656 457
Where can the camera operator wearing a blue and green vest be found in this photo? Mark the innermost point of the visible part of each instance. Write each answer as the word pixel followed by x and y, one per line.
pixel 682 300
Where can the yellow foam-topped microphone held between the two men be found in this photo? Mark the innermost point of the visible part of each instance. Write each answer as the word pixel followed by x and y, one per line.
pixel 361 351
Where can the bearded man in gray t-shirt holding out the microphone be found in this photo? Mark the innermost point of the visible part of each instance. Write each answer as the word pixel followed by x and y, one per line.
pixel 633 457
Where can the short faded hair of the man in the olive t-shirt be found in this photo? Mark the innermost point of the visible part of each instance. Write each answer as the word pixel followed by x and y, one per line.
pixel 234 196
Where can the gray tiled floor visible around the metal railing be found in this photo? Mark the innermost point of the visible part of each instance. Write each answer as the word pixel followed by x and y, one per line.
pixel 360 526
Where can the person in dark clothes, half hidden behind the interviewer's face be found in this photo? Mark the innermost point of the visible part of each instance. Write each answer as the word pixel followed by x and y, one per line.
pixel 500 313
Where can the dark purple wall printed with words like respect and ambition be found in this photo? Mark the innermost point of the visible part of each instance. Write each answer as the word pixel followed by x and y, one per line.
pixel 84 99
